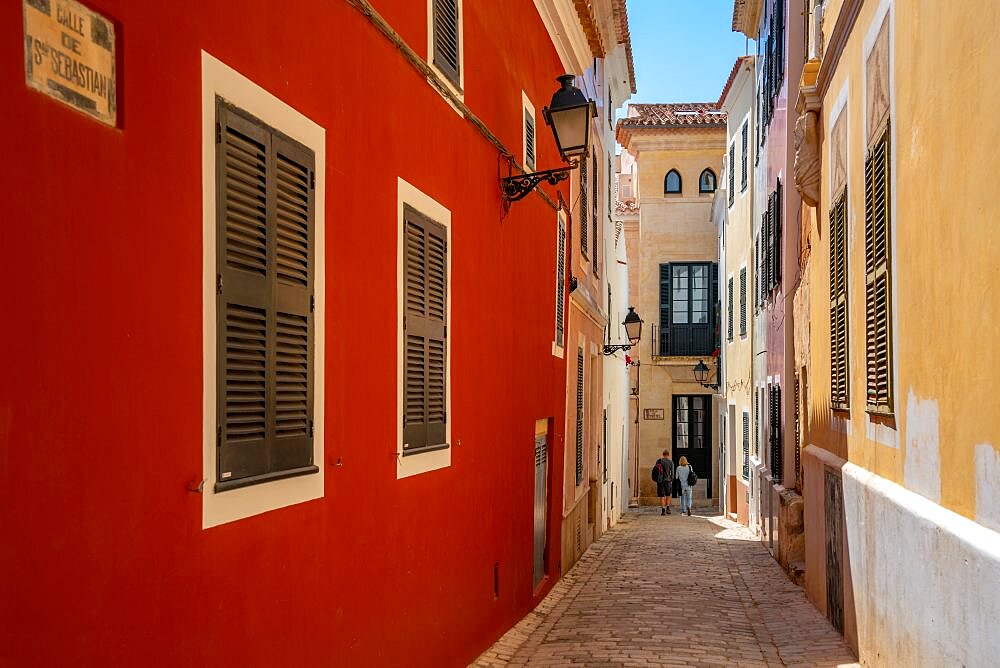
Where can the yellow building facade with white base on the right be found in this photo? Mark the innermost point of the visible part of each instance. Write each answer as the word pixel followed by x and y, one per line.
pixel 901 458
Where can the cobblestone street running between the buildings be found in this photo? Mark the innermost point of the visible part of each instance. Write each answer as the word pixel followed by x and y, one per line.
pixel 681 591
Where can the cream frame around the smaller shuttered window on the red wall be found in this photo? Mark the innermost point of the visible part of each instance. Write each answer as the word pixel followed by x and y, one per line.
pixel 419 462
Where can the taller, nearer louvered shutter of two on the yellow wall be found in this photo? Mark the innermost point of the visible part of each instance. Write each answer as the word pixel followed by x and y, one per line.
pixel 878 283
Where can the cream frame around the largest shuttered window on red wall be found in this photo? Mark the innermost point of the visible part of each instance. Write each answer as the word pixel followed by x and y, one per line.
pixel 219 80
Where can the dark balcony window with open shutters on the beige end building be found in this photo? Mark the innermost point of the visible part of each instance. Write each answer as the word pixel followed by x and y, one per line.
pixel 688 296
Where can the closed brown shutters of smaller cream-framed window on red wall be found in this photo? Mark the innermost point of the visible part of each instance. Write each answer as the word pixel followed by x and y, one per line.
pixel 425 267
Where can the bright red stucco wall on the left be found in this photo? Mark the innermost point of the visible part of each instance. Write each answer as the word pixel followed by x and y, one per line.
pixel 103 558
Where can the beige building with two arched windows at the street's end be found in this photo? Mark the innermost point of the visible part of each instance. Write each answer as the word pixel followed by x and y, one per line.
pixel 678 150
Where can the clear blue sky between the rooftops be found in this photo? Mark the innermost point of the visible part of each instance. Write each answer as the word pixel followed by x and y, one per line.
pixel 683 49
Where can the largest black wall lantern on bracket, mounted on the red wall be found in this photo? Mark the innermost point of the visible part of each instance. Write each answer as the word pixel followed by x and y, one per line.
pixel 568 114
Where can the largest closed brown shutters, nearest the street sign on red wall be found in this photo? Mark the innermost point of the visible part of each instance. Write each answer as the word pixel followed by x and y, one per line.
pixel 265 243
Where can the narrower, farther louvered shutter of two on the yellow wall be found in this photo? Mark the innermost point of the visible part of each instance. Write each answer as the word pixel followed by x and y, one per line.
pixel 839 331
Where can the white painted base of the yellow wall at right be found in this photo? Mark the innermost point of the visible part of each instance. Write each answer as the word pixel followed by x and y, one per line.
pixel 926 580
